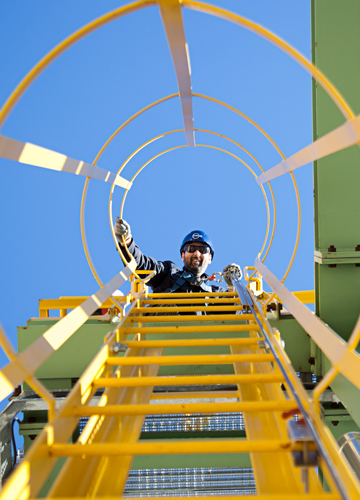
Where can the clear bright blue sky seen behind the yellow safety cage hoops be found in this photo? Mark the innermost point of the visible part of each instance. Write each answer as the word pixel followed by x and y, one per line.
pixel 90 90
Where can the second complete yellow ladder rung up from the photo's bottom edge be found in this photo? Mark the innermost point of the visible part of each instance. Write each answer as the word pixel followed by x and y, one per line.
pixel 188 408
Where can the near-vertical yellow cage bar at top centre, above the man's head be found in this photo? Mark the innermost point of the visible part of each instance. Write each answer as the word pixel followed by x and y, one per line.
pixel 171 16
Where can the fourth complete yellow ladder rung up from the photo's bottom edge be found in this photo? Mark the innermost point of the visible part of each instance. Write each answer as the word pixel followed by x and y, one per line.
pixel 200 359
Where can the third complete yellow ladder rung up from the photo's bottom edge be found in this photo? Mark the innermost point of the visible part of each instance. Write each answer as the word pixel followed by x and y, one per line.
pixel 188 380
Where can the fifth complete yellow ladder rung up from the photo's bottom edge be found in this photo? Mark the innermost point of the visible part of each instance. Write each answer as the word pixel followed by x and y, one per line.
pixel 191 342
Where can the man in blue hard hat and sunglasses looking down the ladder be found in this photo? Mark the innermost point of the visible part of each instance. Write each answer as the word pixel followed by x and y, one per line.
pixel 196 252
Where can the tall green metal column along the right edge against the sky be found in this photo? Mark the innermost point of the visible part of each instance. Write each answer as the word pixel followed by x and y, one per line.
pixel 335 38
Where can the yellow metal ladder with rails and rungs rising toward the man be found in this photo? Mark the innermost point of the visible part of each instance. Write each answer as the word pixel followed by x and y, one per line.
pixel 98 464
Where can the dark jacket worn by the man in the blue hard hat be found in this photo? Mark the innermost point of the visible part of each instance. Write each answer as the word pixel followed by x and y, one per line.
pixel 167 273
